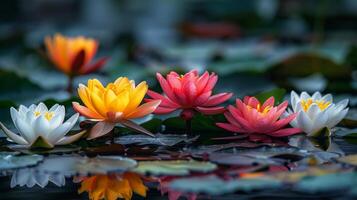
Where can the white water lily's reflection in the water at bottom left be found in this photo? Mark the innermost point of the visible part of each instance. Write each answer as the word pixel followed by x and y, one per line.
pixel 31 177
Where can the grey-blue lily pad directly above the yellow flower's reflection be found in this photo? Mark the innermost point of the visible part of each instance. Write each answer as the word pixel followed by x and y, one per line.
pixel 72 165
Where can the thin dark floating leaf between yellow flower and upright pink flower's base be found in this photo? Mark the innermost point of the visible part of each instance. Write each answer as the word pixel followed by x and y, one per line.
pixel 159 139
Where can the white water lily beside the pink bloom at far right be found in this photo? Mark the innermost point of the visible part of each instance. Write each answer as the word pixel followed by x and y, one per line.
pixel 316 112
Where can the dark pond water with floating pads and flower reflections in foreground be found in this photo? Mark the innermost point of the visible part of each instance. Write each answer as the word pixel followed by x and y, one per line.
pixel 175 167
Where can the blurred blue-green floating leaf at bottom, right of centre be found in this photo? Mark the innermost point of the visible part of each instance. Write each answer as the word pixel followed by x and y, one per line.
pixel 213 185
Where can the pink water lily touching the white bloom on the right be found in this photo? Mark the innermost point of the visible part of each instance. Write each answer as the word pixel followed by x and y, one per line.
pixel 258 120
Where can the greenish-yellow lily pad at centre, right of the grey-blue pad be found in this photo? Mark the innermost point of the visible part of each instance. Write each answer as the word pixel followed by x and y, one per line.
pixel 174 167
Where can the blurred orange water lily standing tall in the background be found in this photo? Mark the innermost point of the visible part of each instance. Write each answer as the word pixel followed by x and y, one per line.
pixel 73 56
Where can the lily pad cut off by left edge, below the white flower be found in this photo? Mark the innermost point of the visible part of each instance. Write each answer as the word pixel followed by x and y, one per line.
pixel 9 161
